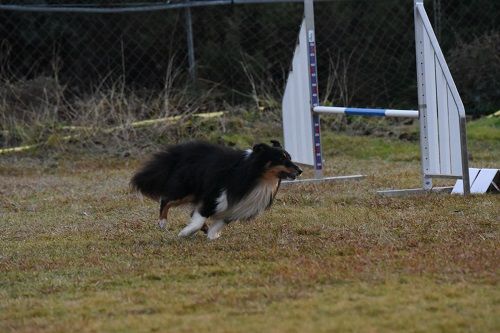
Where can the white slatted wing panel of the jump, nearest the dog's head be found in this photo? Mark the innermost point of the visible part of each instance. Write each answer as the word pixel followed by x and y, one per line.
pixel 296 108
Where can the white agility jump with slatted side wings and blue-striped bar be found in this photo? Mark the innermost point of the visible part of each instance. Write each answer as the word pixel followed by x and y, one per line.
pixel 440 111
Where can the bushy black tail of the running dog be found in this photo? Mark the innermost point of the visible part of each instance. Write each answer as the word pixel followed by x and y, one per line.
pixel 151 180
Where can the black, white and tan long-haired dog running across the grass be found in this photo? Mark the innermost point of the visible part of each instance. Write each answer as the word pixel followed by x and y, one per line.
pixel 223 184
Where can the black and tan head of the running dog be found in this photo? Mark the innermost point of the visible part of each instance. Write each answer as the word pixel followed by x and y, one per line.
pixel 276 161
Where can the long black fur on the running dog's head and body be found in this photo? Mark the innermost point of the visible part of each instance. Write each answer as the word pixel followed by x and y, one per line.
pixel 204 170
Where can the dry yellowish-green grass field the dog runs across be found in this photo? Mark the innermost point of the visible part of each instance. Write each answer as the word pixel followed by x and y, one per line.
pixel 80 253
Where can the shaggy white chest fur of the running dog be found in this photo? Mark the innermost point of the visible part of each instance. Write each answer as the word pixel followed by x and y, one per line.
pixel 254 203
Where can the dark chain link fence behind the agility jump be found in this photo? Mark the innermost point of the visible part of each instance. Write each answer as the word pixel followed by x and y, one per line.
pixel 366 47
